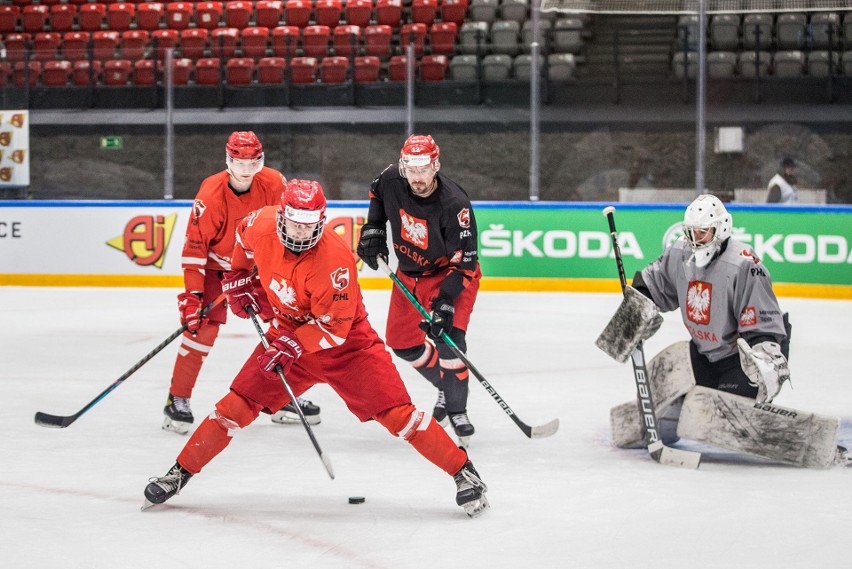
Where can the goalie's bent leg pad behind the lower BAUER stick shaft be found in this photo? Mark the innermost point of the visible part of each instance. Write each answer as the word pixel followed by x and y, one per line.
pixel 670 374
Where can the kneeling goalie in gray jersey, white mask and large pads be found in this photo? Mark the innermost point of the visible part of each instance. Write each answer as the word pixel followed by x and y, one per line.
pixel 718 387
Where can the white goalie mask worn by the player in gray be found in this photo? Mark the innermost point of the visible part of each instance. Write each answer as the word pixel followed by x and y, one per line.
pixel 706 225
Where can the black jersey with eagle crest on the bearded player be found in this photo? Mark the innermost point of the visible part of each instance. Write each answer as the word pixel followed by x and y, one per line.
pixel 429 234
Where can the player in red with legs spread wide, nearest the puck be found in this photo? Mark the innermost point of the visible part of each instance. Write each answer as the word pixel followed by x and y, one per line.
pixel 318 333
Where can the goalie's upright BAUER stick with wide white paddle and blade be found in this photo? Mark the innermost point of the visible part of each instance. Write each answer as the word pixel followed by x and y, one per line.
pixel 659 452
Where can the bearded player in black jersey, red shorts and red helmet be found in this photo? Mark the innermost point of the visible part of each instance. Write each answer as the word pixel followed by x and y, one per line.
pixel 434 236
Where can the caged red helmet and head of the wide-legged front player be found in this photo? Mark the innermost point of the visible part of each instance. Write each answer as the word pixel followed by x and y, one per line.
pixel 301 215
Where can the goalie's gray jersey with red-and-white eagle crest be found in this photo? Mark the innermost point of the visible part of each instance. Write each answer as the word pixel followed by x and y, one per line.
pixel 730 297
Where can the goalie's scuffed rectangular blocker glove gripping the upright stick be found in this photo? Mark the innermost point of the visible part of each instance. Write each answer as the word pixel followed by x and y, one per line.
pixel 636 320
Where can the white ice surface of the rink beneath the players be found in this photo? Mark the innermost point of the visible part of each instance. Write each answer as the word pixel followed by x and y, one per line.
pixel 71 497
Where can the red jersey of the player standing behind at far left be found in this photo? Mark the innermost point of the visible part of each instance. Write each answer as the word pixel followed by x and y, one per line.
pixel 213 221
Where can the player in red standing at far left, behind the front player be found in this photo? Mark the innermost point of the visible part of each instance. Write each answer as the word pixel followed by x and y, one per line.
pixel 223 199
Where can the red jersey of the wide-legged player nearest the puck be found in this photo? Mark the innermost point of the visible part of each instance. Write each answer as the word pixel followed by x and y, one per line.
pixel 315 293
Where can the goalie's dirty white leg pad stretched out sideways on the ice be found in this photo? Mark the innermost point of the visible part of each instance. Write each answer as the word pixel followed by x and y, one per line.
pixel 736 423
